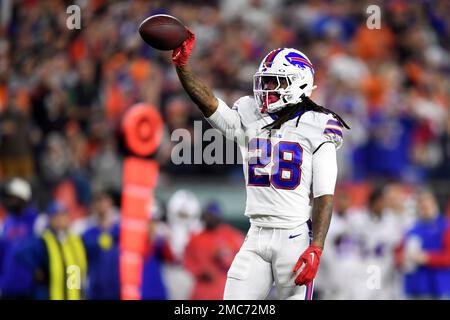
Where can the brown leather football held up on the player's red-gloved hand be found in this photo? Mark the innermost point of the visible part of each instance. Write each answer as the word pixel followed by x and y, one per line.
pixel 163 32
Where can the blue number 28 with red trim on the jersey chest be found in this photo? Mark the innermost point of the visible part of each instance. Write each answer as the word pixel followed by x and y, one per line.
pixel 287 160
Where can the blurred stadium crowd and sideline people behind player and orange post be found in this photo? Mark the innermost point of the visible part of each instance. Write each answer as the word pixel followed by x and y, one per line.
pixel 63 93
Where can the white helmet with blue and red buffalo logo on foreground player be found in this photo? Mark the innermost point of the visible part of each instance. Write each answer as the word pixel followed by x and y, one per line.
pixel 291 74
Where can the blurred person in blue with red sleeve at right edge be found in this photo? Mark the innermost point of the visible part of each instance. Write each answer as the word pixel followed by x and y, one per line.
pixel 427 252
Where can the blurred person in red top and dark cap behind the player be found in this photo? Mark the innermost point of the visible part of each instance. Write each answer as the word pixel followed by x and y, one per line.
pixel 209 254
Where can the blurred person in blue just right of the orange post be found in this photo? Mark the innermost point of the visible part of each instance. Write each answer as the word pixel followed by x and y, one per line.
pixel 158 253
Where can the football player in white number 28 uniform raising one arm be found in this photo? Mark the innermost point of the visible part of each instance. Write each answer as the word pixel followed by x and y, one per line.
pixel 288 144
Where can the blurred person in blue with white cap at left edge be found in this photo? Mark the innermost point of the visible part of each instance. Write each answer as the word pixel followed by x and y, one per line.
pixel 18 228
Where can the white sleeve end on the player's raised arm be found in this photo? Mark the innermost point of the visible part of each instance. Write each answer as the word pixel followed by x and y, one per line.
pixel 225 119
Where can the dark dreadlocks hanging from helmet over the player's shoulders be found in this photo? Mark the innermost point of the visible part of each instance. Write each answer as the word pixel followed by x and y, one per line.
pixel 306 105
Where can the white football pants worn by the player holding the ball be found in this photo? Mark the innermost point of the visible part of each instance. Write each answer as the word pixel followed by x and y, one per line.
pixel 268 255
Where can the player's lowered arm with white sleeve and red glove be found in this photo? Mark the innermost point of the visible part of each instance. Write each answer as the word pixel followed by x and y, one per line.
pixel 324 181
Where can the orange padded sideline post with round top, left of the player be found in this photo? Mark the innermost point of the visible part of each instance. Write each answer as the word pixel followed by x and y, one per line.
pixel 142 128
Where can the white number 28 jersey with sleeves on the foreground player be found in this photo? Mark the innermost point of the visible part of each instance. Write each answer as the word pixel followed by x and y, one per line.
pixel 279 168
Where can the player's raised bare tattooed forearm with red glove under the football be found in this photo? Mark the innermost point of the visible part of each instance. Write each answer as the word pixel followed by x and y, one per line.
pixel 202 96
